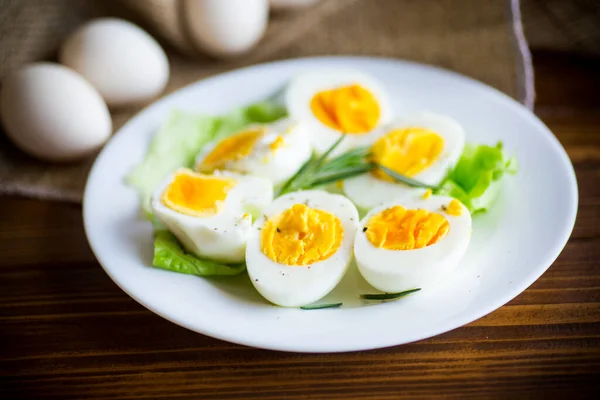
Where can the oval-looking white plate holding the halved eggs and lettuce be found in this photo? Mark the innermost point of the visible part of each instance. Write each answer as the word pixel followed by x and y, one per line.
pixel 511 246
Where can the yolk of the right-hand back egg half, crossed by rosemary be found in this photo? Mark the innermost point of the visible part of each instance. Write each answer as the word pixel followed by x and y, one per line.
pixel 407 151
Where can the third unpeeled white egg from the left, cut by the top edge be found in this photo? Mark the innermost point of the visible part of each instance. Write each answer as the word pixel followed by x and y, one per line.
pixel 226 28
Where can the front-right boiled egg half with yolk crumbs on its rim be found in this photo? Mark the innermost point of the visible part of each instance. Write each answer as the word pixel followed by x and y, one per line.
pixel 412 243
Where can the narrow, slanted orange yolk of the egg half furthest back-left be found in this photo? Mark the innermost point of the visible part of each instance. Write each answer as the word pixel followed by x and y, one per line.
pixel 233 148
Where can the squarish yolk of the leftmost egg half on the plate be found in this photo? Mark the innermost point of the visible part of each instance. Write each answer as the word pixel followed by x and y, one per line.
pixel 197 195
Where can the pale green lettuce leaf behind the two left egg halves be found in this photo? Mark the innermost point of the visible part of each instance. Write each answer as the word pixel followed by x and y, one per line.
pixel 182 136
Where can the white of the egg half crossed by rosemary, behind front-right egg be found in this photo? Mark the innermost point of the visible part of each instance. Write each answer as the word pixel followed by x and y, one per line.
pixel 368 191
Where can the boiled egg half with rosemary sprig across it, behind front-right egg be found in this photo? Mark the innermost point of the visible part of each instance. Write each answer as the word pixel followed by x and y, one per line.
pixel 423 146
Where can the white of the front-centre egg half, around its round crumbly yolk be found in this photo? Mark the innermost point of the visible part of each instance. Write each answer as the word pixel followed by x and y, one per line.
pixel 294 286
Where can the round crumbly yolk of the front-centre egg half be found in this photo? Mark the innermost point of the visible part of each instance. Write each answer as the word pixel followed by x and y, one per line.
pixel 301 236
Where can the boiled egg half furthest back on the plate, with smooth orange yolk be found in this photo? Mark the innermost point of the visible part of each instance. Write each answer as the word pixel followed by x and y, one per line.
pixel 336 102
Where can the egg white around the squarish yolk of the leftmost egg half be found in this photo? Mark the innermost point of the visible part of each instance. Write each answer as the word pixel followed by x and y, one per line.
pixel 221 237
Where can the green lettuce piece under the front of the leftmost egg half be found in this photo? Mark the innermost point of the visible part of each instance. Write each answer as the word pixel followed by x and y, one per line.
pixel 169 255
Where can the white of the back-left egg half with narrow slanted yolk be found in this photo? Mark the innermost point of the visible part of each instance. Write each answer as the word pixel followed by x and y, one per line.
pixel 276 165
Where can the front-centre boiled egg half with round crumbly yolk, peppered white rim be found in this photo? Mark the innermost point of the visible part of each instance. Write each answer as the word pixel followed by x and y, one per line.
pixel 301 248
